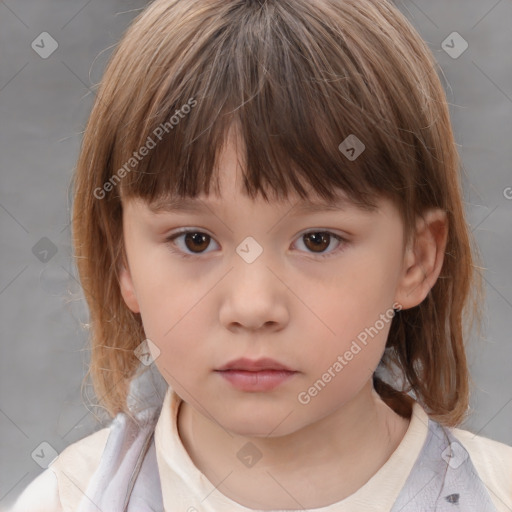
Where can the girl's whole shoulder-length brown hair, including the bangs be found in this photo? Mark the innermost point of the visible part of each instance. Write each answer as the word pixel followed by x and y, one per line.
pixel 296 77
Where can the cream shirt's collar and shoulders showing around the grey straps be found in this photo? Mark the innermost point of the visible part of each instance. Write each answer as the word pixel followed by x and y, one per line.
pixel 61 487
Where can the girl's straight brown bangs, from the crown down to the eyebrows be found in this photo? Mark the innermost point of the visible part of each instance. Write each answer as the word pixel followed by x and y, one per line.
pixel 249 76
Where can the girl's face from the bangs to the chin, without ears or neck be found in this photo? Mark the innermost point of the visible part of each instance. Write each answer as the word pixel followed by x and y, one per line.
pixel 325 318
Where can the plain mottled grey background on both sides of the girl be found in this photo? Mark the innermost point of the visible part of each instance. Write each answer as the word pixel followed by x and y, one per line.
pixel 44 104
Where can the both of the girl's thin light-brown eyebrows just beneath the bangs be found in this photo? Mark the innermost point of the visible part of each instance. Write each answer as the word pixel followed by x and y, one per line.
pixel 176 205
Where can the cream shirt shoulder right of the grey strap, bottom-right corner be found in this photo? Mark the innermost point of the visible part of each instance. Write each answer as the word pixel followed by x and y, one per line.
pixel 493 463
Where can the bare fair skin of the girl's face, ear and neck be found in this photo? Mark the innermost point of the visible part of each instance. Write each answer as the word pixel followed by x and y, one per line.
pixel 291 305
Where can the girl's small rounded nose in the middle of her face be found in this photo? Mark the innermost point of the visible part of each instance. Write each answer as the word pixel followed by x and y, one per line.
pixel 254 297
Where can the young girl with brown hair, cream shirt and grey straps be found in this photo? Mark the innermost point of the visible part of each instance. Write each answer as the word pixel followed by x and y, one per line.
pixel 293 337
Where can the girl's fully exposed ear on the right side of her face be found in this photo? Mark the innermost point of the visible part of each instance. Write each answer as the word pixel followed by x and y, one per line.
pixel 423 258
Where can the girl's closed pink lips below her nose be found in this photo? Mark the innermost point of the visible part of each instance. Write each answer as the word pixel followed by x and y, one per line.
pixel 255 375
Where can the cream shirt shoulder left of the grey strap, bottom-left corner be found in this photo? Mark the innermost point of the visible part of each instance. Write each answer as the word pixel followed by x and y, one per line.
pixel 61 487
